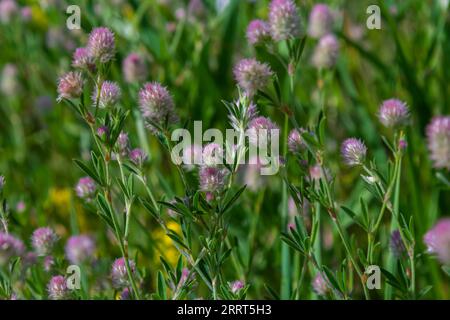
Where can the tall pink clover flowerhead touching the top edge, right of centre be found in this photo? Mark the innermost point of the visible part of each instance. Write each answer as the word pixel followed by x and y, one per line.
pixel 284 20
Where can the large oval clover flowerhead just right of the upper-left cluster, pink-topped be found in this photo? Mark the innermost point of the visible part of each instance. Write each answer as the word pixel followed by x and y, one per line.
pixel 156 105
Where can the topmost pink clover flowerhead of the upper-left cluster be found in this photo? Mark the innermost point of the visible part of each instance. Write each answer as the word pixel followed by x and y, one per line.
pixel 101 44
